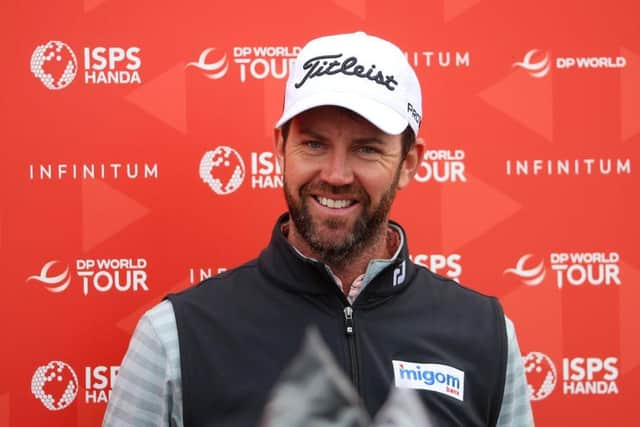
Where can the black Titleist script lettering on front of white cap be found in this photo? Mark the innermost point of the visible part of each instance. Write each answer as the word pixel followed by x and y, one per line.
pixel 321 65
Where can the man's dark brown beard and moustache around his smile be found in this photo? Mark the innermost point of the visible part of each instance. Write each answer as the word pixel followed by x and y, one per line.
pixel 367 228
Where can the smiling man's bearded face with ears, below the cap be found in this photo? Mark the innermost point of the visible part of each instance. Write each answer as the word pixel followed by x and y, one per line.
pixel 340 178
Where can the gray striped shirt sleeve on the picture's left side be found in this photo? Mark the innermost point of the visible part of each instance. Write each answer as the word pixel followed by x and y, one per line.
pixel 147 390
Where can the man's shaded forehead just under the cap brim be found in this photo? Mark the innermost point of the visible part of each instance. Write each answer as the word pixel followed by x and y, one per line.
pixel 332 120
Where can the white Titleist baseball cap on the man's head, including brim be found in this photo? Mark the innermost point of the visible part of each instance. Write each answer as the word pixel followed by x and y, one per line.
pixel 362 73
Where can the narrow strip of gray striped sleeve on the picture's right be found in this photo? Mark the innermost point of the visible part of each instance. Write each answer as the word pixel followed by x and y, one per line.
pixel 516 406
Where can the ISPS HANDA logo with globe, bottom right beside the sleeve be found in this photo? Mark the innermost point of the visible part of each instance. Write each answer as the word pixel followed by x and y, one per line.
pixel 583 375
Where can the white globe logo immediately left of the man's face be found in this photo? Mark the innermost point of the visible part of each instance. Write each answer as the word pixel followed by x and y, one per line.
pixel 222 169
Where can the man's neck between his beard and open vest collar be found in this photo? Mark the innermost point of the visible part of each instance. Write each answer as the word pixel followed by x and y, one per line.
pixel 354 264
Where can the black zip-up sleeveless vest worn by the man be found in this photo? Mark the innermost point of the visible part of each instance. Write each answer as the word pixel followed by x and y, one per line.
pixel 238 331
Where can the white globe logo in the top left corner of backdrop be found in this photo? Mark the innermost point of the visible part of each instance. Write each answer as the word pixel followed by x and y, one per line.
pixel 54 64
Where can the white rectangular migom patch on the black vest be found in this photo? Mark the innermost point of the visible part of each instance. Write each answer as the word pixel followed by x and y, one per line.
pixel 429 376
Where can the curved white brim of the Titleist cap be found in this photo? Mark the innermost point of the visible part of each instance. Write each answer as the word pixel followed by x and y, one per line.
pixel 384 118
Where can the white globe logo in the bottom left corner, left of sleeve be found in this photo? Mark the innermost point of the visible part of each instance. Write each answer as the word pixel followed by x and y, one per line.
pixel 55 385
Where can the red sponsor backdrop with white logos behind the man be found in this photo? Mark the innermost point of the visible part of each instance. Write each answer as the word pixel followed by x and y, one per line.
pixel 109 200
